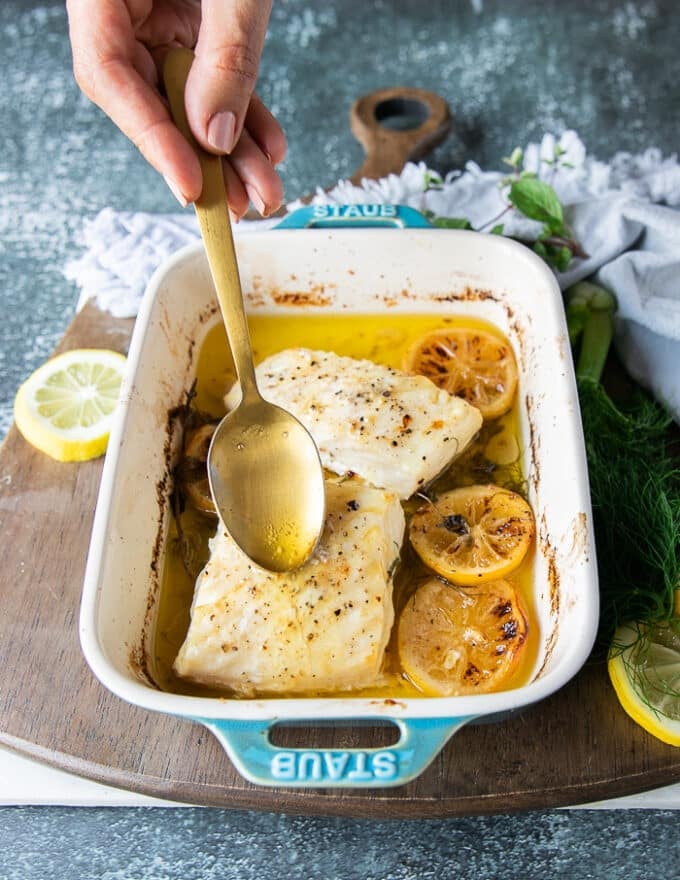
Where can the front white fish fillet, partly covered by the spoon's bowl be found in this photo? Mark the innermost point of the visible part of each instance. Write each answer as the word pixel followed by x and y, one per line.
pixel 321 628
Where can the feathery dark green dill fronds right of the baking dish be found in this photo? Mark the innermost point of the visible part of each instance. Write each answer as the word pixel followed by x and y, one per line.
pixel 635 492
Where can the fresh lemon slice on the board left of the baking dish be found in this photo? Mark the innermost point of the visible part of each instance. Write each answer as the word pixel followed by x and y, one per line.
pixel 65 407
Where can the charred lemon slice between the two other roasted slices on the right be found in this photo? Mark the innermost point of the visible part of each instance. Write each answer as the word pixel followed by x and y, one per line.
pixel 473 534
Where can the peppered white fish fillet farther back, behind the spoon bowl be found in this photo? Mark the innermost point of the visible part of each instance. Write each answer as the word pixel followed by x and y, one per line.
pixel 395 430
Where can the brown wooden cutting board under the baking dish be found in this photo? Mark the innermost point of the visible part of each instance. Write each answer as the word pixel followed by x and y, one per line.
pixel 577 746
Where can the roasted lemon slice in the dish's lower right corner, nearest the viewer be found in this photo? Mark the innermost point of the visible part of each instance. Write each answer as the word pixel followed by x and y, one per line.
pixel 454 642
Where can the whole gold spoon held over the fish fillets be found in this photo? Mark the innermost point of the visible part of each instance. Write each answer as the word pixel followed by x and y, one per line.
pixel 264 469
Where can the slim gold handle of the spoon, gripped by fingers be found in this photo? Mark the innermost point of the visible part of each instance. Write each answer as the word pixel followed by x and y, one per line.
pixel 213 218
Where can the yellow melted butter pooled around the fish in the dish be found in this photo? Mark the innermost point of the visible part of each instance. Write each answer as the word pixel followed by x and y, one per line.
pixel 384 339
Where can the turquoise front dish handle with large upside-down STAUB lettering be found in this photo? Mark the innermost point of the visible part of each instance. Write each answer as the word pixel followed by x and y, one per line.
pixel 256 758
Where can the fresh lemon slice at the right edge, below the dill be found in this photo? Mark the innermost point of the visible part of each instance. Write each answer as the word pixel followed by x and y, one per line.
pixel 644 667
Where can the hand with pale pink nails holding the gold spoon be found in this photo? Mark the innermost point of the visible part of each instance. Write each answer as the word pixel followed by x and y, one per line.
pixel 118 47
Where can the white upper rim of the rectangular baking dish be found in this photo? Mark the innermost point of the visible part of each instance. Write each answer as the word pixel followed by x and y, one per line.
pixel 298 708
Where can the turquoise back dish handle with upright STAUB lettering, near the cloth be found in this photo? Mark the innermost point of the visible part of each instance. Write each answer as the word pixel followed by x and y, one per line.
pixel 341 216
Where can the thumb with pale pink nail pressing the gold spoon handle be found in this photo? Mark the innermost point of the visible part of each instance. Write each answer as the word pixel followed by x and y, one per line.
pixel 223 75
